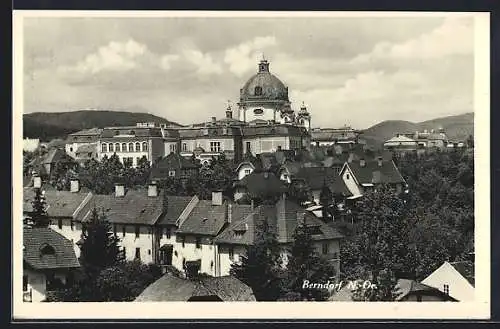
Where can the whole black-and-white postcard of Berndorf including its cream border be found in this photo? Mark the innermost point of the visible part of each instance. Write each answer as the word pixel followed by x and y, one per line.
pixel 283 157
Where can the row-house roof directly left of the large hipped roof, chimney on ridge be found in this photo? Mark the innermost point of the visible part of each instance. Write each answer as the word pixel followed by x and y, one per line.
pixel 208 219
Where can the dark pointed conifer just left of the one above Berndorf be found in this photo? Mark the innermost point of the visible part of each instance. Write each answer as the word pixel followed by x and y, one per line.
pixel 262 269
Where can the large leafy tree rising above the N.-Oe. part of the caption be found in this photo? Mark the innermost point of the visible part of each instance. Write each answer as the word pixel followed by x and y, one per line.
pixel 380 251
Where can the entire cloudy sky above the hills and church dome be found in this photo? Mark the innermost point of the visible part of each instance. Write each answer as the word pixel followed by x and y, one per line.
pixel 355 71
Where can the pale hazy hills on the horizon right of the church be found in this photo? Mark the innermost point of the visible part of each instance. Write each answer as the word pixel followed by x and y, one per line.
pixel 457 127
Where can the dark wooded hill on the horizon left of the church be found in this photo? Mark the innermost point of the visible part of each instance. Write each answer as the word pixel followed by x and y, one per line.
pixel 47 126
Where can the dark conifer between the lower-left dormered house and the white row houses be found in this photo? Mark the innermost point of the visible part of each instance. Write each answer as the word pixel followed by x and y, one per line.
pixel 99 246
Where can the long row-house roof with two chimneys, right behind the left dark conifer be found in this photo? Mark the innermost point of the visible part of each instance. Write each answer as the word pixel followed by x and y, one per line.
pixel 135 207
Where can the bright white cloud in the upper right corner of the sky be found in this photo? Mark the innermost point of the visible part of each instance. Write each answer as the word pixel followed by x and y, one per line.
pixel 453 37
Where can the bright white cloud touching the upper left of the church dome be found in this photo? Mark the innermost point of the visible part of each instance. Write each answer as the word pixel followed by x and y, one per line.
pixel 242 57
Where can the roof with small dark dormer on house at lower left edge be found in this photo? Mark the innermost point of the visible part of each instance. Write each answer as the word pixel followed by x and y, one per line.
pixel 44 248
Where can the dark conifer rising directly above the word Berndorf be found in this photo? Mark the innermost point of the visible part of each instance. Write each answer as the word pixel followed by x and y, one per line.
pixel 306 265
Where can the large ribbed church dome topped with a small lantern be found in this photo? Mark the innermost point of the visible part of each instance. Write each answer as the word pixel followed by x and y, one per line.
pixel 264 86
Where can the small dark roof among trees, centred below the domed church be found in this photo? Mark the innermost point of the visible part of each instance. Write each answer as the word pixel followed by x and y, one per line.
pixel 261 183
